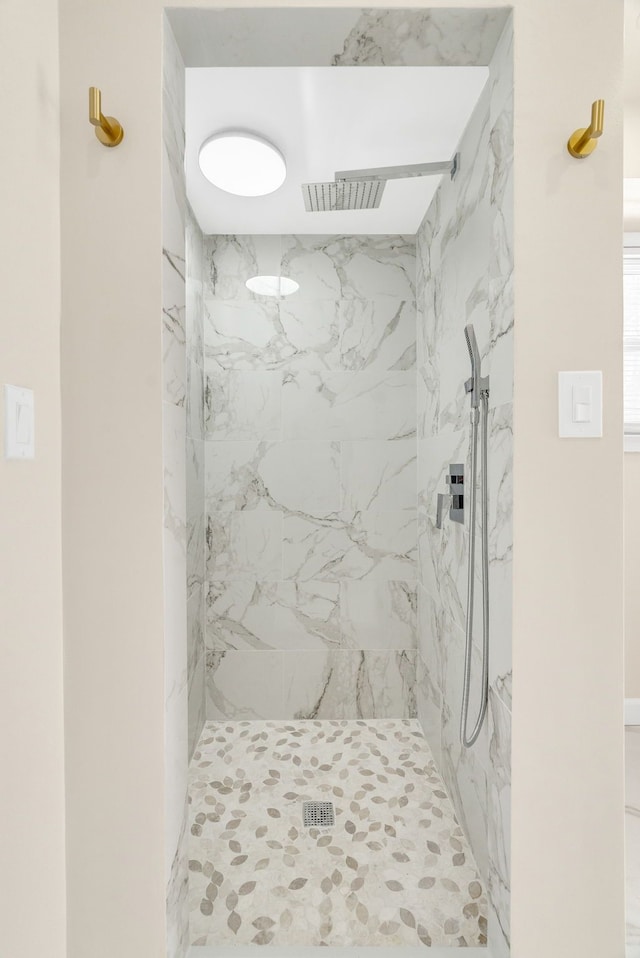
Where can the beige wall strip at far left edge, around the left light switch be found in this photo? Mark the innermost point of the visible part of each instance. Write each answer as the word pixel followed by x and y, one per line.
pixel 32 873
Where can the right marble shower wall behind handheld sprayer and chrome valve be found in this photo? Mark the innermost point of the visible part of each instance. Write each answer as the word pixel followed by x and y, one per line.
pixel 464 275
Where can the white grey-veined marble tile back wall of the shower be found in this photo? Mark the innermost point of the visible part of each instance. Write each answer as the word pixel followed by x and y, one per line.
pixel 310 488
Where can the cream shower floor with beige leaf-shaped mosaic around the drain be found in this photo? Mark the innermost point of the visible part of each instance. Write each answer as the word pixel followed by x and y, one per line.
pixel 395 869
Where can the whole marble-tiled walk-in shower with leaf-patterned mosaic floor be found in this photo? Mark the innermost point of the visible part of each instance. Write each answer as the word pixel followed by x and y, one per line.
pixel 330 797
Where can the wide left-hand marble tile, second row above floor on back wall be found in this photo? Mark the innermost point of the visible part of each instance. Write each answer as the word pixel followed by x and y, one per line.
pixel 273 615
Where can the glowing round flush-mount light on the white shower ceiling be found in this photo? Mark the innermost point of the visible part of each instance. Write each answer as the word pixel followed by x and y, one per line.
pixel 242 163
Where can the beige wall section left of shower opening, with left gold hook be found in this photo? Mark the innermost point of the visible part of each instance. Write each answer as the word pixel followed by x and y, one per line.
pixel 112 482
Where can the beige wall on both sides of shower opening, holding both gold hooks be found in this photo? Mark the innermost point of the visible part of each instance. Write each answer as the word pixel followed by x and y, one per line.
pixel 567 828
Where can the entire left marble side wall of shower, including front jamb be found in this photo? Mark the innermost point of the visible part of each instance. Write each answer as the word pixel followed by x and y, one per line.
pixel 183 457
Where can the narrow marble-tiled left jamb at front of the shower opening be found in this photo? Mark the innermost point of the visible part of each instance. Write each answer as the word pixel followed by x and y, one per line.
pixel 174 349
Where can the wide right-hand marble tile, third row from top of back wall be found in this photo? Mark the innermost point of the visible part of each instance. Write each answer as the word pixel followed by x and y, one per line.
pixel 346 405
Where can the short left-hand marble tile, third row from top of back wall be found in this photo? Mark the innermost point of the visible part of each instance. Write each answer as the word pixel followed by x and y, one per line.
pixel 243 405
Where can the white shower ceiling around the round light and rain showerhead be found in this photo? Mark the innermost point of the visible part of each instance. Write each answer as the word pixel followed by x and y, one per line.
pixel 325 119
